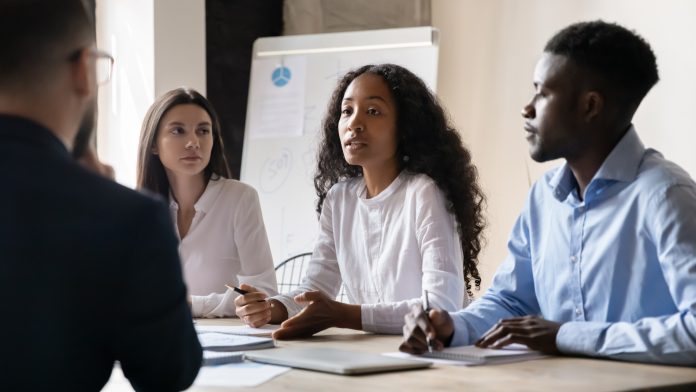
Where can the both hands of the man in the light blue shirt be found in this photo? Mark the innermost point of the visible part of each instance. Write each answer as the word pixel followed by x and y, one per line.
pixel 534 332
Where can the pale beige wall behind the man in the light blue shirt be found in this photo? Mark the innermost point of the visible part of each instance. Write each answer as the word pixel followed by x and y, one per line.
pixel 487 55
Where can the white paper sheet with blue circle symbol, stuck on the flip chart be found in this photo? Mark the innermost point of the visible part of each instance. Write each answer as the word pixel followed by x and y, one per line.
pixel 278 97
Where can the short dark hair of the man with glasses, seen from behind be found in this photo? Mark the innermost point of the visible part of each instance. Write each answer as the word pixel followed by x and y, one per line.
pixel 37 33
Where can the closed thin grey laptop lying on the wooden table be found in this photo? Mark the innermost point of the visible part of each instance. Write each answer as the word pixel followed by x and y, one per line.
pixel 332 360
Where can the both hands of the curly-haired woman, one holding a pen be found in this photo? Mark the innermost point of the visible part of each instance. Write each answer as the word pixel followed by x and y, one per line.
pixel 320 312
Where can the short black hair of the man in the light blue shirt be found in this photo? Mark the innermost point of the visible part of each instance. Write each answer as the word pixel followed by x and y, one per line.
pixel 620 57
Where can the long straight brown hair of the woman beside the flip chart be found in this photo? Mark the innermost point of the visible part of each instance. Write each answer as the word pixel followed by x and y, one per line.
pixel 151 173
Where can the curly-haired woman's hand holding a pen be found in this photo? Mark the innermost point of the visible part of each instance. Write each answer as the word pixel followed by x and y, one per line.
pixel 256 310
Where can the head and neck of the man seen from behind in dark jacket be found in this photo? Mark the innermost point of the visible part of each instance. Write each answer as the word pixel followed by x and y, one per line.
pixel 47 70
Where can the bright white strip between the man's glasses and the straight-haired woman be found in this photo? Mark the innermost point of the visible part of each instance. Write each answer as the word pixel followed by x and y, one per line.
pixel 125 29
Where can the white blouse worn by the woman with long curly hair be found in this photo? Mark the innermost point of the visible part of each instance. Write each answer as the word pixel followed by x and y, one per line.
pixel 386 250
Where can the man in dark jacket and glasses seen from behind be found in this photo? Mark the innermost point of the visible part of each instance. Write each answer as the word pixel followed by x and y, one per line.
pixel 89 270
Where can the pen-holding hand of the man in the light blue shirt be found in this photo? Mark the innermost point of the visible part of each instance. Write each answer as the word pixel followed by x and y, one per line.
pixel 437 325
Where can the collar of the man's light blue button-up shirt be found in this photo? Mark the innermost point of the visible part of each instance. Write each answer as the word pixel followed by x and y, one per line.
pixel 620 165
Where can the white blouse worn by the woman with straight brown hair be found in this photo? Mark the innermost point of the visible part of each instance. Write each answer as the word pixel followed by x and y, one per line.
pixel 226 244
